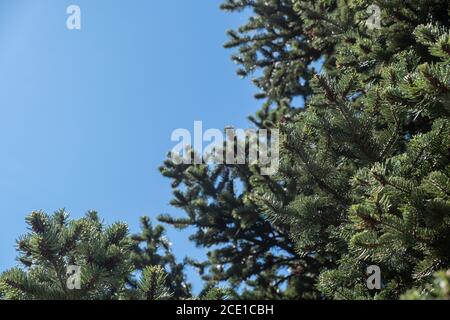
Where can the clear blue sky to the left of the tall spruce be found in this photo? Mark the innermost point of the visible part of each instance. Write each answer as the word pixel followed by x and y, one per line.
pixel 86 115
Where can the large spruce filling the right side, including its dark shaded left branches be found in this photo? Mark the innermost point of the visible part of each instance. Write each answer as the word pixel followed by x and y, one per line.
pixel 364 174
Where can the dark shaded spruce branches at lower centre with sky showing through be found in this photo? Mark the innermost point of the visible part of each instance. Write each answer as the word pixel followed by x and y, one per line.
pixel 244 248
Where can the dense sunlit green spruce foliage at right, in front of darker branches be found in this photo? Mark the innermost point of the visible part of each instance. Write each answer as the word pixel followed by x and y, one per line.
pixel 371 150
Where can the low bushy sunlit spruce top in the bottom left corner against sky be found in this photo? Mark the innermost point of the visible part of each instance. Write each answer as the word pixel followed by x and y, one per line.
pixel 54 243
